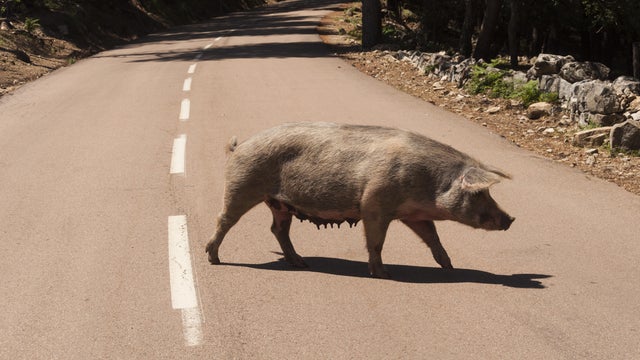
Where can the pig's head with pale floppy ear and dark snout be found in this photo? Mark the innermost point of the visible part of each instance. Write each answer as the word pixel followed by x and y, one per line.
pixel 469 202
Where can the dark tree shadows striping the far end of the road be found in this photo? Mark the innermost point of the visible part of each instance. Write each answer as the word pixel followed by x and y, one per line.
pixel 268 21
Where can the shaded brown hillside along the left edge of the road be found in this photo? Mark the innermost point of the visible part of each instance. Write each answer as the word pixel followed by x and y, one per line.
pixel 40 36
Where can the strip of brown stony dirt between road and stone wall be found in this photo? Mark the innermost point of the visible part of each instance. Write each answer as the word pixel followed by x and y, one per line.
pixel 547 136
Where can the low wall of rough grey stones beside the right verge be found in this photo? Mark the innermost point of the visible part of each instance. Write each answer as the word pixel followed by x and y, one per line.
pixel 584 89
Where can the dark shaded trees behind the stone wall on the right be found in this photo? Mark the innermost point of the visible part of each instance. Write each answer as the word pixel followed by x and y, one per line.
pixel 589 30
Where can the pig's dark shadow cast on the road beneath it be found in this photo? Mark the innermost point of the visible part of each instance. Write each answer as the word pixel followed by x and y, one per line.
pixel 405 273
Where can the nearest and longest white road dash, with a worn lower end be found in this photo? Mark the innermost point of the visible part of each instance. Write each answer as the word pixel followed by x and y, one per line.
pixel 183 289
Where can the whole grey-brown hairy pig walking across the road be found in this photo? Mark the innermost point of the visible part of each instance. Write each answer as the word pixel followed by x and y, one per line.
pixel 330 173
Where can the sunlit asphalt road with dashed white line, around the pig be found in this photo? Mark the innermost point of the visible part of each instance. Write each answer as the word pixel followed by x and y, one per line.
pixel 112 176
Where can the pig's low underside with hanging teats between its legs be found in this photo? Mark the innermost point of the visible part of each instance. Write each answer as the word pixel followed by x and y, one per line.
pixel 324 218
